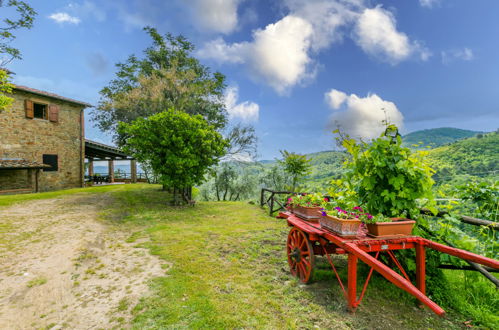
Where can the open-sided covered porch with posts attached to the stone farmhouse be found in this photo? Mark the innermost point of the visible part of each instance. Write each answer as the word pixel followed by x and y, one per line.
pixel 95 151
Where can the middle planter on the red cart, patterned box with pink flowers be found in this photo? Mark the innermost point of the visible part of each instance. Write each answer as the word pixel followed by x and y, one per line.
pixel 339 221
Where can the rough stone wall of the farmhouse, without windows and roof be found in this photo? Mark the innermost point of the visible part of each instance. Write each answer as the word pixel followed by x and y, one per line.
pixel 30 139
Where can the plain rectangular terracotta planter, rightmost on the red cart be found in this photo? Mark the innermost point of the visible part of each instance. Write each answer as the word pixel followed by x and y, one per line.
pixel 380 225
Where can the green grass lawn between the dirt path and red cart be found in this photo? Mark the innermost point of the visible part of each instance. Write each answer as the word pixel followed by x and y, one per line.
pixel 229 270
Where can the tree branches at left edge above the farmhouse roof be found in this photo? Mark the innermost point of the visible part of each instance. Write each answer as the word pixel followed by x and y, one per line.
pixel 7 52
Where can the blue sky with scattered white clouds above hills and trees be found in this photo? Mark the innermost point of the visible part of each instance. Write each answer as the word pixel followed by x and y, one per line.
pixel 296 69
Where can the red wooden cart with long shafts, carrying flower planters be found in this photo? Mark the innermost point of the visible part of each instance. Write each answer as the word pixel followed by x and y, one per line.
pixel 307 239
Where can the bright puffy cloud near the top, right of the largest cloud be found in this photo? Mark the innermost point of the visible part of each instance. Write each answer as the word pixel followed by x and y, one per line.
pixel 376 33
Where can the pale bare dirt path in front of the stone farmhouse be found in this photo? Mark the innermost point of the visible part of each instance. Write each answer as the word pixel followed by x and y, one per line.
pixel 60 267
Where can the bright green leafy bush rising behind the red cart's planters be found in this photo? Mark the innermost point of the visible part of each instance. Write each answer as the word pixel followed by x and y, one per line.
pixel 387 177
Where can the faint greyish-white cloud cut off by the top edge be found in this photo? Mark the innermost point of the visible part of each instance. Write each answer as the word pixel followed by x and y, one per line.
pixel 215 15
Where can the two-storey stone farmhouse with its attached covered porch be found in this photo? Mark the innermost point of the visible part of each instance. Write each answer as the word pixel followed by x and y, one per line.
pixel 43 146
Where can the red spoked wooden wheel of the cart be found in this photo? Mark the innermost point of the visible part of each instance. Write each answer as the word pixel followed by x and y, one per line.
pixel 301 257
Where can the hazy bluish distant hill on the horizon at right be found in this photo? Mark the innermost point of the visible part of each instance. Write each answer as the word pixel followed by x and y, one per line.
pixel 436 137
